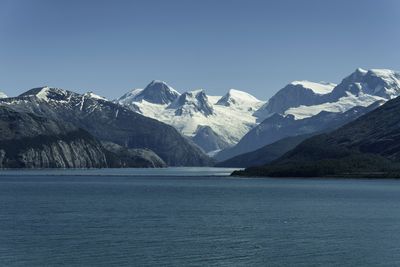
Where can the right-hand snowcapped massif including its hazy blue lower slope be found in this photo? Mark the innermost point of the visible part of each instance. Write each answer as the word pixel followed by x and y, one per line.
pixel 304 103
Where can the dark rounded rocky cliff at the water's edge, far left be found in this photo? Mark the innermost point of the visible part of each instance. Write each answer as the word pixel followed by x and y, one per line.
pixel 31 141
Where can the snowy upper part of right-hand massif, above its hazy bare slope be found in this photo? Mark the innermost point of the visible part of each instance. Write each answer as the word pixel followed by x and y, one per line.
pixel 305 99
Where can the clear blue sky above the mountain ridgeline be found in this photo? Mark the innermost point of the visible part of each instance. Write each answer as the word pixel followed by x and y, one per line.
pixel 110 47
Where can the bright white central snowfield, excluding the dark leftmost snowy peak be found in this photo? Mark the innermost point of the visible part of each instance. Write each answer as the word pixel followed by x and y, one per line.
pixel 230 122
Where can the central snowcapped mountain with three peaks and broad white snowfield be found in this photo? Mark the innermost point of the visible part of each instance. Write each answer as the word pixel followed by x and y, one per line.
pixel 228 117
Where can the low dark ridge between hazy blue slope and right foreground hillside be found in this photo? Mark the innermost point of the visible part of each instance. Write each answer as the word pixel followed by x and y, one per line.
pixel 265 154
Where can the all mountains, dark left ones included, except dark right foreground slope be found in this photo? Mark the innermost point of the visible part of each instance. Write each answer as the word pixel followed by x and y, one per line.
pixel 159 126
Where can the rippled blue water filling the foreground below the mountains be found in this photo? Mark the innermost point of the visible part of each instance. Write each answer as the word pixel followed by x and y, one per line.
pixel 138 218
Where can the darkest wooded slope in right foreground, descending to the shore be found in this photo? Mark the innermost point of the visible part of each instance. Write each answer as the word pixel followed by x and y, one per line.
pixel 366 147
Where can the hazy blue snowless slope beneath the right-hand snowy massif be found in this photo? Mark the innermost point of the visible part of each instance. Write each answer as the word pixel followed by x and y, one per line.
pixel 278 126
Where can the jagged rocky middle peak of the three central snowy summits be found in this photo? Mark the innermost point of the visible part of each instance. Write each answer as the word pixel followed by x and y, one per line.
pixel 192 102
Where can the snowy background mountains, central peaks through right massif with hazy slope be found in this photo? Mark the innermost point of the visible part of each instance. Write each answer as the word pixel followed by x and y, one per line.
pixel 237 122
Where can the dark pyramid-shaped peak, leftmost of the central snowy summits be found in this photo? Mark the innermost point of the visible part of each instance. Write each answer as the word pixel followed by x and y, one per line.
pixel 157 92
